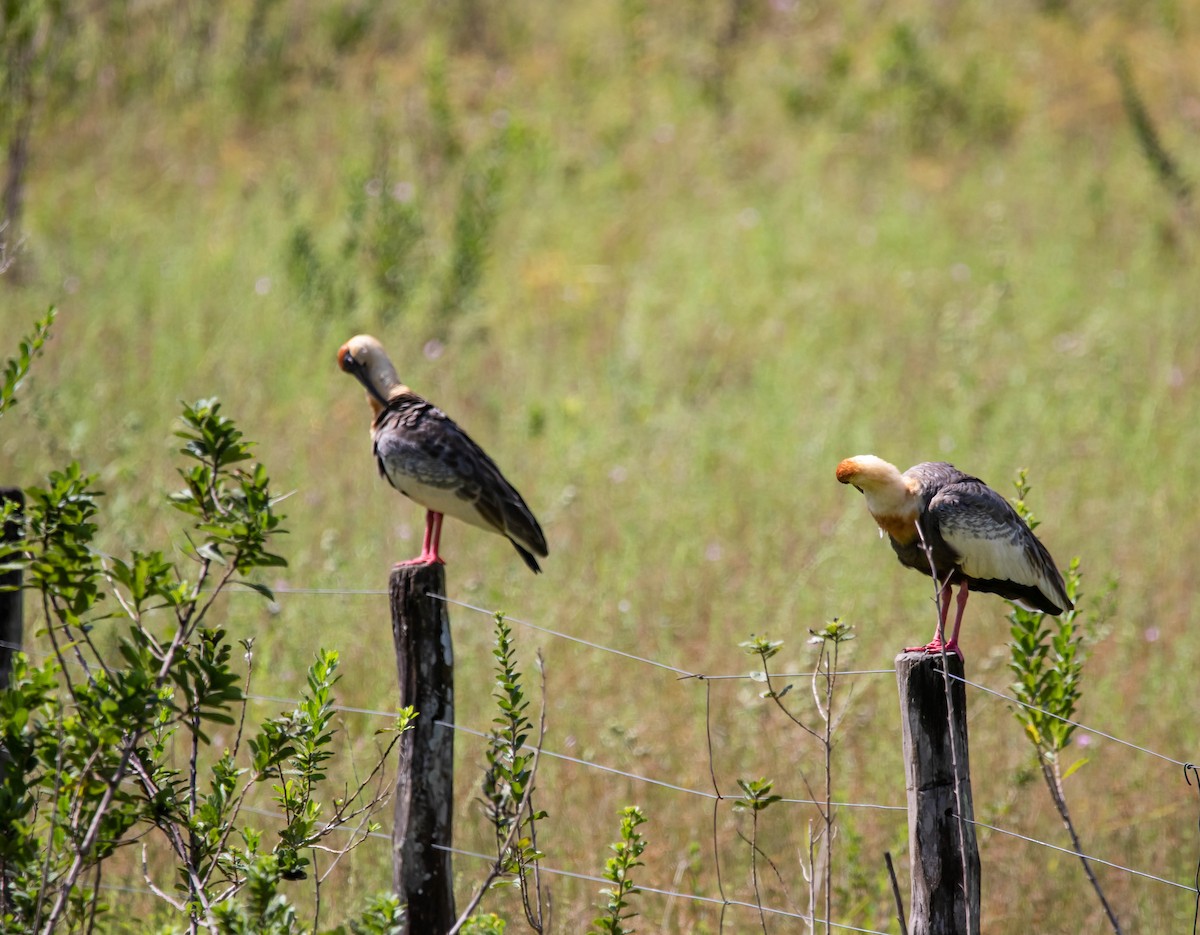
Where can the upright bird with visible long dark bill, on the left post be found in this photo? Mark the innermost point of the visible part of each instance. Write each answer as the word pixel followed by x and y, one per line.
pixel 428 458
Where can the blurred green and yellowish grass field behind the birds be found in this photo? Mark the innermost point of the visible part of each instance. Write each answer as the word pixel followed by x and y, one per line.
pixel 685 321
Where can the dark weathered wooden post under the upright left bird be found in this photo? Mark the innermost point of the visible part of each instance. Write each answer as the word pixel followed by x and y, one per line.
pixel 422 873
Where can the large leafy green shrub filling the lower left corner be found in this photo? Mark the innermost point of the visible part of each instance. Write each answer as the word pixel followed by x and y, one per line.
pixel 111 738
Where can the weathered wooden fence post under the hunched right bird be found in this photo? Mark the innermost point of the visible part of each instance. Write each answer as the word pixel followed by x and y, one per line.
pixel 943 852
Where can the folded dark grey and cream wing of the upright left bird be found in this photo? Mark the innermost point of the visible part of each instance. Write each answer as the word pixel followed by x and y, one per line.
pixel 427 457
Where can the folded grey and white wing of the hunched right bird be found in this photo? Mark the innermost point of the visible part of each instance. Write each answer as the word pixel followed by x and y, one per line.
pixel 993 542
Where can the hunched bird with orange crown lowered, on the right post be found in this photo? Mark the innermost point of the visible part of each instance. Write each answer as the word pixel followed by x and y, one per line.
pixel 974 538
